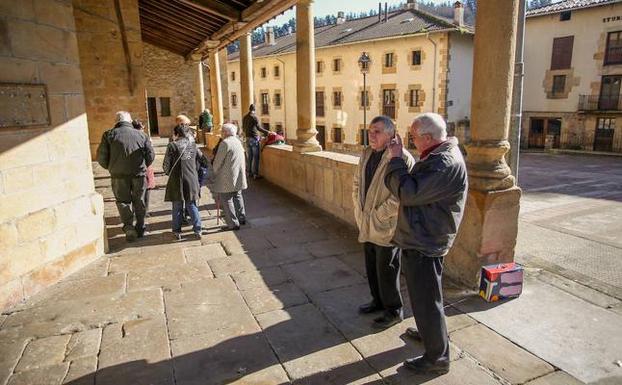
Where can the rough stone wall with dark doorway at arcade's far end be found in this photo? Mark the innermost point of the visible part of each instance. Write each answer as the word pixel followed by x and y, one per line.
pixel 170 75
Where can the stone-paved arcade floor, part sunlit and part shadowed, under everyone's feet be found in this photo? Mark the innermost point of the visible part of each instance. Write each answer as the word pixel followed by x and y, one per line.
pixel 275 303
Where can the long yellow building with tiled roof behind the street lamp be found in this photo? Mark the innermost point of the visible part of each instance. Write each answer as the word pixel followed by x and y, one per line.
pixel 409 74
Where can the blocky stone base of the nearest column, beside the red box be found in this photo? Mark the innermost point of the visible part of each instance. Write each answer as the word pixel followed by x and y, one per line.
pixel 487 234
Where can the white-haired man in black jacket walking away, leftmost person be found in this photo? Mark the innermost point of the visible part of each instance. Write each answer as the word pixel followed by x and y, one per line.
pixel 126 153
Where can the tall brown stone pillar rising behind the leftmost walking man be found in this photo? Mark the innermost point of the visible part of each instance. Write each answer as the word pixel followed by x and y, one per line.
pixel 112 81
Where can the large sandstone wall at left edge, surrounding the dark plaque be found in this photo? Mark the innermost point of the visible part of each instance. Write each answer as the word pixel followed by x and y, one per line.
pixel 51 219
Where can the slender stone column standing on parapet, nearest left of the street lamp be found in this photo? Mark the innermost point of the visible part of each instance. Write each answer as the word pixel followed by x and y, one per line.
pixel 305 79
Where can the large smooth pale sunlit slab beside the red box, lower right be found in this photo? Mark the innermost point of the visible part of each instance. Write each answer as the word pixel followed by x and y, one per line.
pixel 587 353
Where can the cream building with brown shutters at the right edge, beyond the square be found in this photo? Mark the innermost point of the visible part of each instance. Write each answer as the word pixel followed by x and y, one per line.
pixel 573 72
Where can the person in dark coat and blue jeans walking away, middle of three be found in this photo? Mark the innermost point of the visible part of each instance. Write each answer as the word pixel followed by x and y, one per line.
pixel 180 164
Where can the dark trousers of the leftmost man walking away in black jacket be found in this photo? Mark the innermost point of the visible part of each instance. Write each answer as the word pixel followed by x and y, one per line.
pixel 129 194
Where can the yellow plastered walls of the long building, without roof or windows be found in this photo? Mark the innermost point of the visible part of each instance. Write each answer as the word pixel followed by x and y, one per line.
pixel 350 81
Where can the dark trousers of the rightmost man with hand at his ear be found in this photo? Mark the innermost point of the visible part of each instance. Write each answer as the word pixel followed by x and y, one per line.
pixel 423 278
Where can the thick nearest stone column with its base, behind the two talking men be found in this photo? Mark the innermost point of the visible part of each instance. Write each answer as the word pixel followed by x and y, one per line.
pixel 489 228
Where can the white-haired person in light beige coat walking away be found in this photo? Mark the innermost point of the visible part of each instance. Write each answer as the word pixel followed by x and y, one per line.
pixel 230 177
